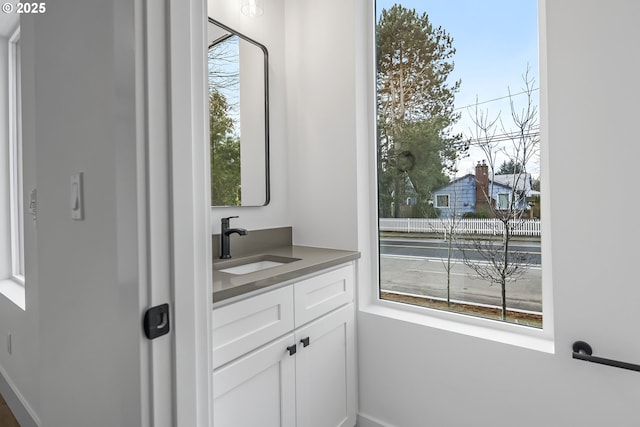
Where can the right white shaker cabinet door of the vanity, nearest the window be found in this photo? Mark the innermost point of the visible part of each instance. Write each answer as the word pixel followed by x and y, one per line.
pixel 325 371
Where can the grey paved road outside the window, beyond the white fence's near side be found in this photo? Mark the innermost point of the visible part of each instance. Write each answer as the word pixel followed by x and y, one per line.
pixel 417 266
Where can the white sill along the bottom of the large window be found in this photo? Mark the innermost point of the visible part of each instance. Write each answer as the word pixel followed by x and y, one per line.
pixel 505 333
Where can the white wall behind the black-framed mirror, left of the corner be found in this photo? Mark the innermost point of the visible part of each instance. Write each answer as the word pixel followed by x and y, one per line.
pixel 267 29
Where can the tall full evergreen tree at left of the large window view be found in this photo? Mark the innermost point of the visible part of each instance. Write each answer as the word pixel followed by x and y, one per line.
pixel 415 110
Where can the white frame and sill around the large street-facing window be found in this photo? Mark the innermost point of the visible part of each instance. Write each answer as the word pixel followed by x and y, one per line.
pixel 507 333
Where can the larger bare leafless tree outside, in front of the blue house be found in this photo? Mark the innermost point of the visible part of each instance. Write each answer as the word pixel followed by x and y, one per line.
pixel 505 196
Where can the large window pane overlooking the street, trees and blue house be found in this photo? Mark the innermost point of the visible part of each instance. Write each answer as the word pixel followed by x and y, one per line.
pixel 458 93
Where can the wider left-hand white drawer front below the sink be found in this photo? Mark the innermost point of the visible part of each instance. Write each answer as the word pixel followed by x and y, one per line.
pixel 243 326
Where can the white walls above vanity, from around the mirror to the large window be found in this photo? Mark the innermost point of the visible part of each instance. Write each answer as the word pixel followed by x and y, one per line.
pixel 312 89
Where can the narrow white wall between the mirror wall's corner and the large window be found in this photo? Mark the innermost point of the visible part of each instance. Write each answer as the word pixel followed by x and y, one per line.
pixel 321 113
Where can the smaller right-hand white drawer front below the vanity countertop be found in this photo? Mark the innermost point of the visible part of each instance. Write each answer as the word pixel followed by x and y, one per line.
pixel 321 294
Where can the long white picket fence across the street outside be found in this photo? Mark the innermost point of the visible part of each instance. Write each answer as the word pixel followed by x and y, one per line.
pixel 490 226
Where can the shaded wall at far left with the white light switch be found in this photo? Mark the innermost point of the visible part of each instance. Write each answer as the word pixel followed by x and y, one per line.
pixel 76 349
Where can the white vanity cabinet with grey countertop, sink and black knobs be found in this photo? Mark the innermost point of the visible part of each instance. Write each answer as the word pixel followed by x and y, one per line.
pixel 284 339
